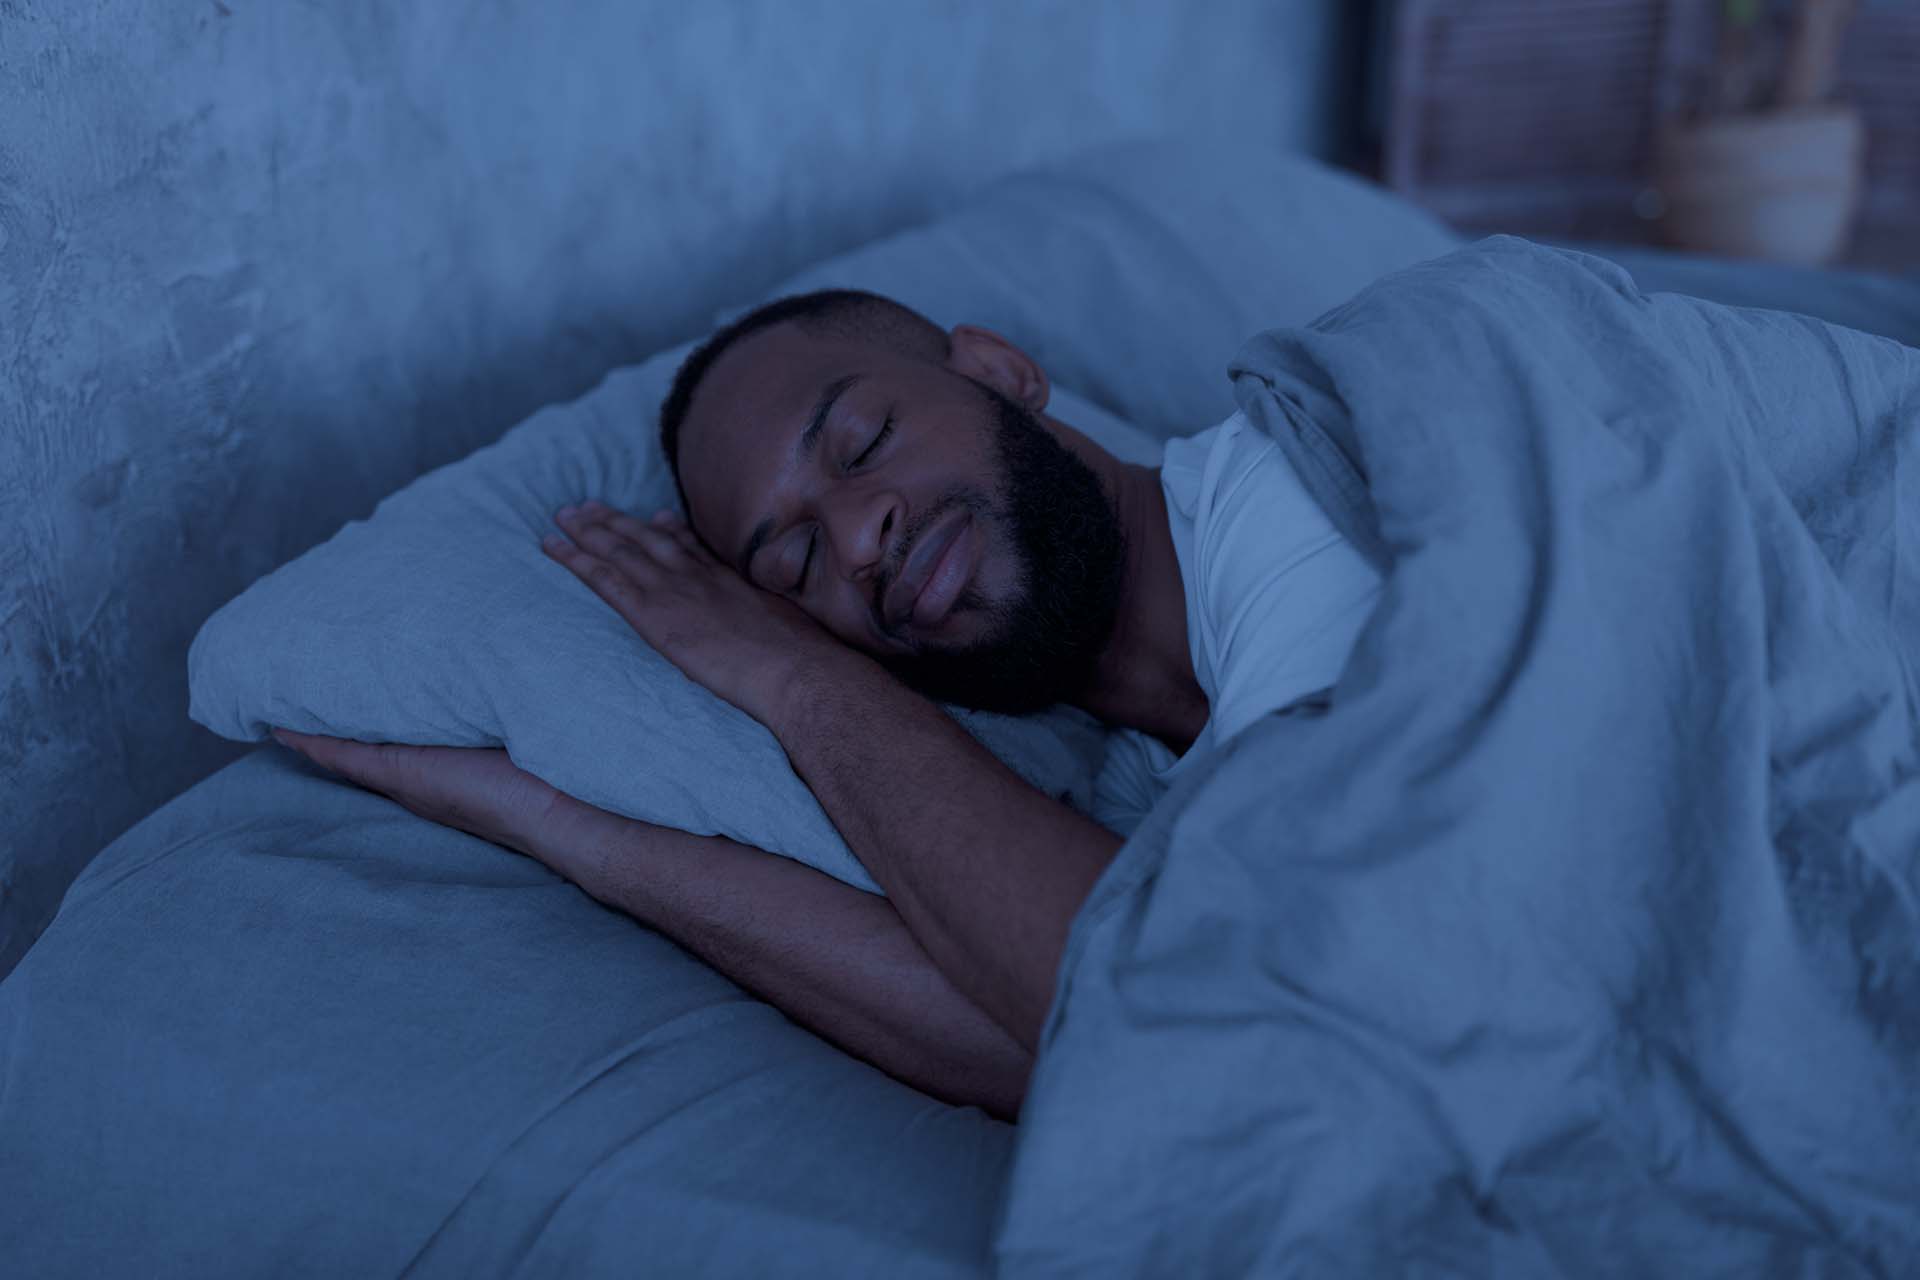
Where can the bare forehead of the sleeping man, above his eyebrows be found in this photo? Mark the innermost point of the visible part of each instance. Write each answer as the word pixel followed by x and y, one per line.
pixel 748 417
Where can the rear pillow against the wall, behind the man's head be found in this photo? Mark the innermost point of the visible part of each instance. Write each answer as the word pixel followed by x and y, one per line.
pixel 1134 273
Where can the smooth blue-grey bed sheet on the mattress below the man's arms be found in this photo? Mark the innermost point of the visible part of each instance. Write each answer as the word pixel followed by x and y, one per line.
pixel 393 1049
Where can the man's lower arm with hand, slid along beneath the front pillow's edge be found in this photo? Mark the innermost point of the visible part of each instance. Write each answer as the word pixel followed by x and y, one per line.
pixel 830 957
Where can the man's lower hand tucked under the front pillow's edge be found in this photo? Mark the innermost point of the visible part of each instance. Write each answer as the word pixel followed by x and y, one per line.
pixel 475 790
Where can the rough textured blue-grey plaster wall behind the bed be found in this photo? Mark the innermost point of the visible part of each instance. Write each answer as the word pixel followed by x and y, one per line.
pixel 262 262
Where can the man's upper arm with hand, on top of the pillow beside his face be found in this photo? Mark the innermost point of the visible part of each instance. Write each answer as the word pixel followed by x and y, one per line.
pixel 986 870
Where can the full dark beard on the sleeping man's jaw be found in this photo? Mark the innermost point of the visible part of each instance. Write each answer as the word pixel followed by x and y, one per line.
pixel 1070 559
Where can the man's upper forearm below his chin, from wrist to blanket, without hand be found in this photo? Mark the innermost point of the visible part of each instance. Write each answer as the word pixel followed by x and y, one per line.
pixel 986 870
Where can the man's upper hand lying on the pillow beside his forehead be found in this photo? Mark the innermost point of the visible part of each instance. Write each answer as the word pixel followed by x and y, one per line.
pixel 729 636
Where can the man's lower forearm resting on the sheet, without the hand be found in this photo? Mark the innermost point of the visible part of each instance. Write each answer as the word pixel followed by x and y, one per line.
pixel 830 957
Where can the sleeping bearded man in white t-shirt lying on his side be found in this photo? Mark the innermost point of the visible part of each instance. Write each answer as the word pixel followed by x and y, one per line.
pixel 880 515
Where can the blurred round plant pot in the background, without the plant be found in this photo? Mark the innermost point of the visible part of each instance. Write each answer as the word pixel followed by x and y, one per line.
pixel 1783 187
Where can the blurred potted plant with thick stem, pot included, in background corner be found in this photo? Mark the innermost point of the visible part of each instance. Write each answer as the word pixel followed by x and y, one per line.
pixel 1767 170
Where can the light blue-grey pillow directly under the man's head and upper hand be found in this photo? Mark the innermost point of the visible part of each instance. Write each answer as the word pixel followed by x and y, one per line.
pixel 441 621
